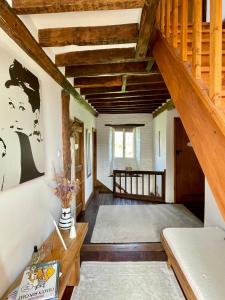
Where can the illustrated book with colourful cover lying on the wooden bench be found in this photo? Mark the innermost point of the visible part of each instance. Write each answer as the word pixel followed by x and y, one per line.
pixel 40 281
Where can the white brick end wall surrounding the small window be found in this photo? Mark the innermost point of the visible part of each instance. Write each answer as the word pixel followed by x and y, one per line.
pixel 103 142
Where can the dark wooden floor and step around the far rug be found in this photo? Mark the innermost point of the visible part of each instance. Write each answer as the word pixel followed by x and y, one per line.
pixel 117 252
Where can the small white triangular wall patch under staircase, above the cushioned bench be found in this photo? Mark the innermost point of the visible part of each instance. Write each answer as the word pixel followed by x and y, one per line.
pixel 213 216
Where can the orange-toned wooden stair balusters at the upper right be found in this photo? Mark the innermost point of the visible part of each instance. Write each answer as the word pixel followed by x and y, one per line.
pixel 180 22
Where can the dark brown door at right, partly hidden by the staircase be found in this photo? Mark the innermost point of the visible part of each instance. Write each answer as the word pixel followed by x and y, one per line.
pixel 189 178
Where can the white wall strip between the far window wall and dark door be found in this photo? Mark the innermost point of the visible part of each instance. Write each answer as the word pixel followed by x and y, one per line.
pixel 164 123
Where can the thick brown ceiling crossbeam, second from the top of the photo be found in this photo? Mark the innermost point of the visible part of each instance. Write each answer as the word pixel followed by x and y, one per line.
pixel 81 36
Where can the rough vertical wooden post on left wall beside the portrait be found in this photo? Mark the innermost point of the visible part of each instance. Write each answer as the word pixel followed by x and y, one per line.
pixel 66 129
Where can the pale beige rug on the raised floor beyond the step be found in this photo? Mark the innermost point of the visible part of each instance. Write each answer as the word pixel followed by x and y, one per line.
pixel 139 223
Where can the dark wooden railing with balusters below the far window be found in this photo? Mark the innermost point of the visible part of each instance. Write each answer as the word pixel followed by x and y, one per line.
pixel 140 185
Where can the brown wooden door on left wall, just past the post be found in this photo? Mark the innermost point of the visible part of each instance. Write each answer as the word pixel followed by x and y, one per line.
pixel 78 134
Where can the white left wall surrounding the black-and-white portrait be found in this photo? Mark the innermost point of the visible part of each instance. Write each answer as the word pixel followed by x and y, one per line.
pixel 25 210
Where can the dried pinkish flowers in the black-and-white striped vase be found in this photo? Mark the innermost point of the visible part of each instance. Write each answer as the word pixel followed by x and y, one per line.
pixel 64 188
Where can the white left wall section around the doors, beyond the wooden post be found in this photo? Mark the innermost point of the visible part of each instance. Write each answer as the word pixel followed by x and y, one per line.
pixel 78 111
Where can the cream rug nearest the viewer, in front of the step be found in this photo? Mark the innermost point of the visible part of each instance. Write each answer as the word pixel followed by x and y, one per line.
pixel 127 281
